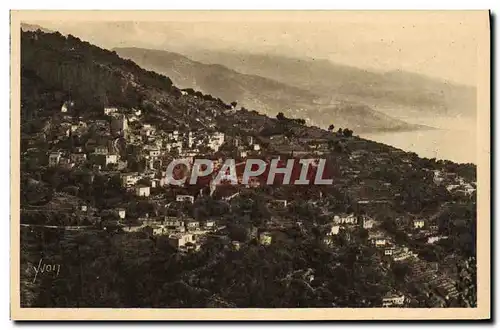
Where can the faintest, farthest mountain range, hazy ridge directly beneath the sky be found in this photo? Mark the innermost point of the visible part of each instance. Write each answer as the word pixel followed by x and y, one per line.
pixel 333 81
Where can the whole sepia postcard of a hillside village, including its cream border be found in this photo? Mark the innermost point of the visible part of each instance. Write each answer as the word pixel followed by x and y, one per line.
pixel 250 165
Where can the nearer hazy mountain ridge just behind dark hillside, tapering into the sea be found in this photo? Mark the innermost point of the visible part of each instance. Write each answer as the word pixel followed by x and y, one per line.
pixel 263 94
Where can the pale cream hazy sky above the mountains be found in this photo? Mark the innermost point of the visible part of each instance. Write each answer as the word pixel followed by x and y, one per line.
pixel 439 44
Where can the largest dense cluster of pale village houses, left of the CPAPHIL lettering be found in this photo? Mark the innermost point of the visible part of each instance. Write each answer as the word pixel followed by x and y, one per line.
pixel 120 141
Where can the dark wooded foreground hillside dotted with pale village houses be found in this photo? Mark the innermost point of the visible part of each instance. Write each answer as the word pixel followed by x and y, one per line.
pixel 393 230
